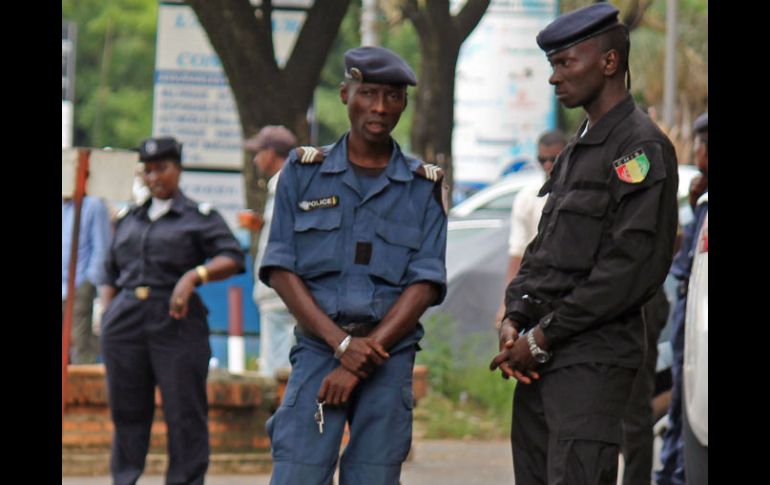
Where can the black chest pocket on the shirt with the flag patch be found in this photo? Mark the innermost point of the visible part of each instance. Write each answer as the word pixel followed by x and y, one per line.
pixel 575 228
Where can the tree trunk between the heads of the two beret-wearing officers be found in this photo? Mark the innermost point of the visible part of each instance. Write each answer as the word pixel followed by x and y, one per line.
pixel 441 35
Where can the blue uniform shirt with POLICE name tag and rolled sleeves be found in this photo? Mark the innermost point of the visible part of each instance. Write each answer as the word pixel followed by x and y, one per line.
pixel 356 253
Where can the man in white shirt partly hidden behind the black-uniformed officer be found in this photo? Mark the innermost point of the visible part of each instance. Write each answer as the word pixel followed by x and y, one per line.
pixel 527 206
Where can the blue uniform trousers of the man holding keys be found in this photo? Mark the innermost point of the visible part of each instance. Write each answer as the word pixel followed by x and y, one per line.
pixel 379 413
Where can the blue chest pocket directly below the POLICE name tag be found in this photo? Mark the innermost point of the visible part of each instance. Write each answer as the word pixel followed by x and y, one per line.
pixel 318 241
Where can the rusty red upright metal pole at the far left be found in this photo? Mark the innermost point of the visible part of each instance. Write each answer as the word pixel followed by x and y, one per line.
pixel 69 305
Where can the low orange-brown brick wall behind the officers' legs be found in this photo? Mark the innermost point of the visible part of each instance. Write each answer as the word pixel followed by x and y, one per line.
pixel 239 405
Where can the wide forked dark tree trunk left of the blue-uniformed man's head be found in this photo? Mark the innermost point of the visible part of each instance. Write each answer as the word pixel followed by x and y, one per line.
pixel 265 94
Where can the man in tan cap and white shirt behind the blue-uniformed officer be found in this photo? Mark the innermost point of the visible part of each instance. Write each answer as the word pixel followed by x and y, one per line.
pixel 271 146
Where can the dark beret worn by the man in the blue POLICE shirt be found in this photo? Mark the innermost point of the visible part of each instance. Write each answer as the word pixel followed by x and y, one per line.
pixel 377 65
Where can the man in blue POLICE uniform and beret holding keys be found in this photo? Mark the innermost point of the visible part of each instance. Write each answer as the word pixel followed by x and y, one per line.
pixel 357 252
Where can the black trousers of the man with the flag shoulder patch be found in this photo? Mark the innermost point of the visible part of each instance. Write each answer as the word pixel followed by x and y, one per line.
pixel 567 425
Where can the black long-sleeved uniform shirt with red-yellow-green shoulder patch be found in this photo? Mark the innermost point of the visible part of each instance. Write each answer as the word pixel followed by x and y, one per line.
pixel 604 245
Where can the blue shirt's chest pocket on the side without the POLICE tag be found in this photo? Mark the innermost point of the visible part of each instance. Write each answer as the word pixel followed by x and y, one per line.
pixel 393 246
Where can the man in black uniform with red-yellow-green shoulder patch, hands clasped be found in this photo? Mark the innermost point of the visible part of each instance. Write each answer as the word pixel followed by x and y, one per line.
pixel 573 334
